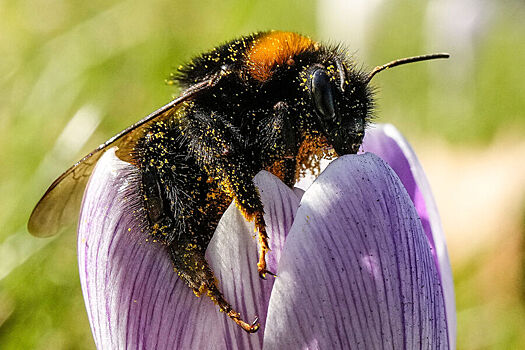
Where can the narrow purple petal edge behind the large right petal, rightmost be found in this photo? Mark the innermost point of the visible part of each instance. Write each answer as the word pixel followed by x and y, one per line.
pixel 388 143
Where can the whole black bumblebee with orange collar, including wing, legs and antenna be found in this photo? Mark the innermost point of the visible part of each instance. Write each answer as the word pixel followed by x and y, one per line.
pixel 271 101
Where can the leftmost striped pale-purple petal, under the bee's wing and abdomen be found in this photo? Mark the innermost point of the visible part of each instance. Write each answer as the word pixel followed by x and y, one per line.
pixel 133 297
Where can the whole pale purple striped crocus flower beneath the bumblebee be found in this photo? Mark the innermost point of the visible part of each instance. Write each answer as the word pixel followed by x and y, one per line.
pixel 361 263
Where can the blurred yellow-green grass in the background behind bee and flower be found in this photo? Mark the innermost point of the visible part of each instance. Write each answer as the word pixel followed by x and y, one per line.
pixel 111 58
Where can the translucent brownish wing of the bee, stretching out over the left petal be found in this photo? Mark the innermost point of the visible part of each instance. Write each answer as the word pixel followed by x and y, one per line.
pixel 59 206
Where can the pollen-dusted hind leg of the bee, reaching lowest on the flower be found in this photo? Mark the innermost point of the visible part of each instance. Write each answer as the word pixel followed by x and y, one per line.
pixel 192 267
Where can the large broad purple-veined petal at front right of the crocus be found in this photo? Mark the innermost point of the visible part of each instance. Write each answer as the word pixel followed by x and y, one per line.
pixel 356 271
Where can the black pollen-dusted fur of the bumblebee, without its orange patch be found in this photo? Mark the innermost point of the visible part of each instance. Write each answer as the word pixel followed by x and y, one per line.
pixel 205 154
